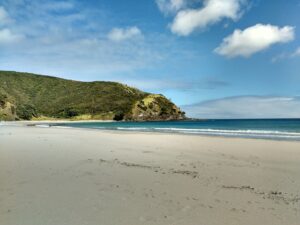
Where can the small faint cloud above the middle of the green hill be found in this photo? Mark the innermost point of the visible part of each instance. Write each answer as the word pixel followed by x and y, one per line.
pixel 120 34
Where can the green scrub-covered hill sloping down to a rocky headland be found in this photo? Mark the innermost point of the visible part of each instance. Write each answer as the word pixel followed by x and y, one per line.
pixel 25 96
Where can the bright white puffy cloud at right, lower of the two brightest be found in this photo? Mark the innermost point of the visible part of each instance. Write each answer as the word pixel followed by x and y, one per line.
pixel 254 39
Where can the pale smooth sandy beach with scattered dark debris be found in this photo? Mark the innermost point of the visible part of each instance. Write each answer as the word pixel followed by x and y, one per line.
pixel 56 176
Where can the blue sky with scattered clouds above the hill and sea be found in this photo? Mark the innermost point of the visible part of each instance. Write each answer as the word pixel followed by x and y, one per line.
pixel 213 58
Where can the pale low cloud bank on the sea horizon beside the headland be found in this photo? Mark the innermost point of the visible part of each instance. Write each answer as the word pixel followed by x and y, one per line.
pixel 247 107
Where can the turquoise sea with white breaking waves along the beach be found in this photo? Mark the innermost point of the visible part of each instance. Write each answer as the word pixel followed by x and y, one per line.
pixel 249 128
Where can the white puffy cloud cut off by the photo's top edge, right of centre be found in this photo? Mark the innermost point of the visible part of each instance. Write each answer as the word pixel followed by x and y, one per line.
pixel 189 20
